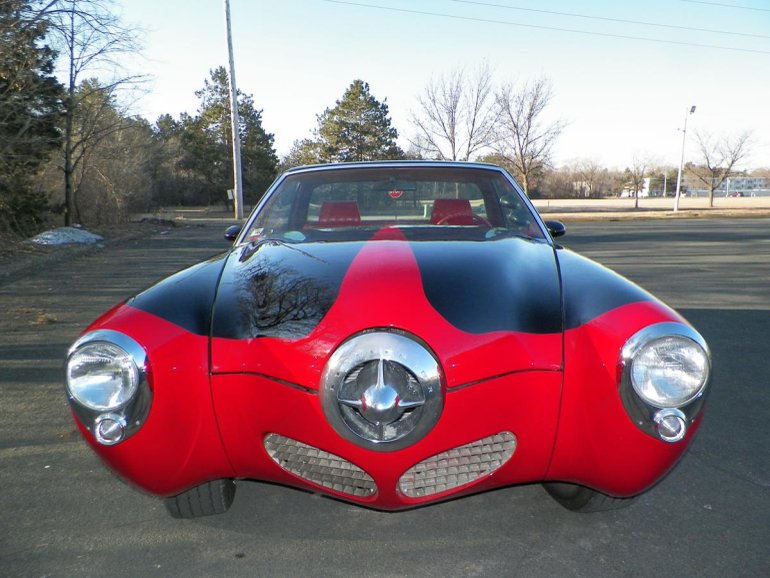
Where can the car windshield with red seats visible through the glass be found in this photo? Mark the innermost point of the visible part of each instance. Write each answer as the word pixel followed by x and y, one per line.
pixel 352 203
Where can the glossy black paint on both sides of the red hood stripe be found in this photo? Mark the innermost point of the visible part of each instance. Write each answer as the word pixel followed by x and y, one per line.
pixel 277 289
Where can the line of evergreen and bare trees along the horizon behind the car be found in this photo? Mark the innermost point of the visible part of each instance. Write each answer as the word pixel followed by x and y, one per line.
pixel 73 151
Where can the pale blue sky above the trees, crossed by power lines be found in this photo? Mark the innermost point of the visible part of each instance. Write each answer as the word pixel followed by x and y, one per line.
pixel 622 88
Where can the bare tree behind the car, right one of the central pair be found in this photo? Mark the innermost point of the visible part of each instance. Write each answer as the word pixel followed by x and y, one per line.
pixel 524 140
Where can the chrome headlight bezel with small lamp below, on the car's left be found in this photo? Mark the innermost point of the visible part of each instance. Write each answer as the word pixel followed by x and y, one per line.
pixel 126 404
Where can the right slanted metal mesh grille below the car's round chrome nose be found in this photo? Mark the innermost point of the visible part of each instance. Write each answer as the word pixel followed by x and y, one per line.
pixel 458 467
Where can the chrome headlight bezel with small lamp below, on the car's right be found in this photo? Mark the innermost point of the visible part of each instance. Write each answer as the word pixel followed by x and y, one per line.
pixel 646 406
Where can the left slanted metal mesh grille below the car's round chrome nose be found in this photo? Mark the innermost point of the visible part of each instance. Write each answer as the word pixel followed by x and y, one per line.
pixel 319 467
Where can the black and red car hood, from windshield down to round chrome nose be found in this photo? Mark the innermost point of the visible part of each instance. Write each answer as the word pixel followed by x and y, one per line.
pixel 484 308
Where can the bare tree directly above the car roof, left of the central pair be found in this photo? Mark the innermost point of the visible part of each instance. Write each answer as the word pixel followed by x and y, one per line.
pixel 456 116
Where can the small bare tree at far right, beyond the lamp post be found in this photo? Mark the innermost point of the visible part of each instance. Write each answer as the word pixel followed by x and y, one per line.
pixel 719 156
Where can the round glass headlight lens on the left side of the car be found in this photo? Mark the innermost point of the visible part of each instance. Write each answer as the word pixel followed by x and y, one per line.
pixel 102 376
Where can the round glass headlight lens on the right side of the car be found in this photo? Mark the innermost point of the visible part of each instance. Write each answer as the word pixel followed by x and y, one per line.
pixel 669 371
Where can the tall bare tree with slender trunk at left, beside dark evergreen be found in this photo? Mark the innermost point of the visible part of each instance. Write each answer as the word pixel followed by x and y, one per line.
pixel 90 37
